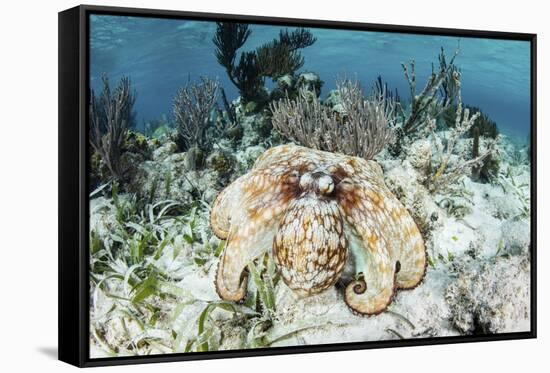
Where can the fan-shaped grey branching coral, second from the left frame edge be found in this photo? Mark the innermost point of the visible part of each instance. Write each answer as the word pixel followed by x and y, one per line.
pixel 192 107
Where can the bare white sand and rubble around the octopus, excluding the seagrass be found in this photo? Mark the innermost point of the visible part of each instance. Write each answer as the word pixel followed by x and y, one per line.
pixel 477 280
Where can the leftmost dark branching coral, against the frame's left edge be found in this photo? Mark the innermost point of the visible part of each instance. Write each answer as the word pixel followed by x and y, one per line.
pixel 110 119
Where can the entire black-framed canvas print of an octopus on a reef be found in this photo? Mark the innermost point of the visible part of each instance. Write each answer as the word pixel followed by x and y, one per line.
pixel 231 186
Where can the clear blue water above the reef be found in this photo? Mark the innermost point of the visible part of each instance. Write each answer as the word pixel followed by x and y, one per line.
pixel 160 55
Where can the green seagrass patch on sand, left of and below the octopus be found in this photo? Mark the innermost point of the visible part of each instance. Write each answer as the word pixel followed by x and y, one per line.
pixel 135 264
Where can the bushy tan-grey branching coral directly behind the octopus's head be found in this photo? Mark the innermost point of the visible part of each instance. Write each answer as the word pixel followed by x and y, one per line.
pixel 363 130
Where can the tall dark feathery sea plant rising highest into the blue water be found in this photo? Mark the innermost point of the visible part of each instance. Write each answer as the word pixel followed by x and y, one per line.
pixel 273 59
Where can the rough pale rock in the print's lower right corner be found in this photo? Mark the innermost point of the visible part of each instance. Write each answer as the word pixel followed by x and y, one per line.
pixel 491 297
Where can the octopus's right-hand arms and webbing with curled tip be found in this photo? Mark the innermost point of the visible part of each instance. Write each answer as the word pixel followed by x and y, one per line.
pixel 388 249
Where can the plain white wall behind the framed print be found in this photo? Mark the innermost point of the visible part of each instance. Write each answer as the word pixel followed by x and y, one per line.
pixel 28 183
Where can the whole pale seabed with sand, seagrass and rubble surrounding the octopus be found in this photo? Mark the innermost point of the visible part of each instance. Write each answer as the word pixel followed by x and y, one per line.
pixel 153 259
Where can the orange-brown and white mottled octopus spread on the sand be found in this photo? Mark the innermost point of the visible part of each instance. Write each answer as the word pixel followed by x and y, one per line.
pixel 318 214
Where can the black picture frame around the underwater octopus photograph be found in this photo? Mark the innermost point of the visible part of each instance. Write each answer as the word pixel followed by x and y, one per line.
pixel 73 247
